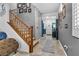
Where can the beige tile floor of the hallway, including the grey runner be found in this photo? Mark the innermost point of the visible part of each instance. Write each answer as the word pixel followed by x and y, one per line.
pixel 47 46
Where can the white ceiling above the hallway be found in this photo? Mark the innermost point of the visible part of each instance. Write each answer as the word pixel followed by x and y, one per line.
pixel 47 7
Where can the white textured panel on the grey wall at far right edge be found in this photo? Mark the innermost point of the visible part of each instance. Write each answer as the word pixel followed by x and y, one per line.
pixel 75 20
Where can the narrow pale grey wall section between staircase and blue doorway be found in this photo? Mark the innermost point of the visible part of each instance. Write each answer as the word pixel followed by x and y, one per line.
pixel 37 24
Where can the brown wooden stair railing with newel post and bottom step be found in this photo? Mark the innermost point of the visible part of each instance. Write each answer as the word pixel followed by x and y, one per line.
pixel 23 30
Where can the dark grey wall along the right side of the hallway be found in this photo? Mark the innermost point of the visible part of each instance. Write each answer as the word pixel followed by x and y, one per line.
pixel 65 35
